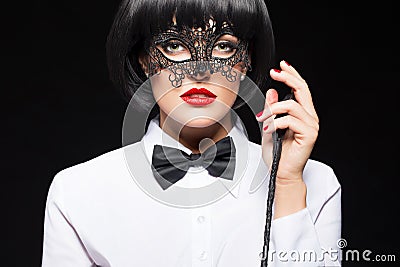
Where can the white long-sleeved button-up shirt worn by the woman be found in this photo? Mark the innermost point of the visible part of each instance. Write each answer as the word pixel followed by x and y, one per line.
pixel 97 214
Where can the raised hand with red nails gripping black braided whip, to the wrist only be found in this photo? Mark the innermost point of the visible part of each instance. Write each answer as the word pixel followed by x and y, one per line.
pixel 301 120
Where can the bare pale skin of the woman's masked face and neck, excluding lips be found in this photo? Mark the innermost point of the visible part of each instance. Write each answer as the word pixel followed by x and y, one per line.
pixel 207 122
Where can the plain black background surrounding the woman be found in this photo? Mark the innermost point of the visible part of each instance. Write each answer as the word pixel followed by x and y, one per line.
pixel 61 108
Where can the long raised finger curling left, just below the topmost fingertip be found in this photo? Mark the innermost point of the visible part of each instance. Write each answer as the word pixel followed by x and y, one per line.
pixel 300 89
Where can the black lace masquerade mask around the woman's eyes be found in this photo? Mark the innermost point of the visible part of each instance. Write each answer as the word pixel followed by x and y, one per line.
pixel 199 52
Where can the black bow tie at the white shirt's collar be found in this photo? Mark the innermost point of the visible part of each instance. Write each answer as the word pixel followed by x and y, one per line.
pixel 170 164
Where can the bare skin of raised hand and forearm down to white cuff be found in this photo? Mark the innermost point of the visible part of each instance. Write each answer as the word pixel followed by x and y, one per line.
pixel 303 125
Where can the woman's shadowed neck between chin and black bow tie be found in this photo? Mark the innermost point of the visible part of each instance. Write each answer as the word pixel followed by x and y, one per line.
pixel 191 137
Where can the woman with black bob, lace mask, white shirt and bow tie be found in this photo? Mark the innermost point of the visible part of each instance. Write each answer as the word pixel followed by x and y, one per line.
pixel 188 193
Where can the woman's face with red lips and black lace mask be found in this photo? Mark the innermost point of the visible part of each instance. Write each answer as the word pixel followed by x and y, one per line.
pixel 196 73
